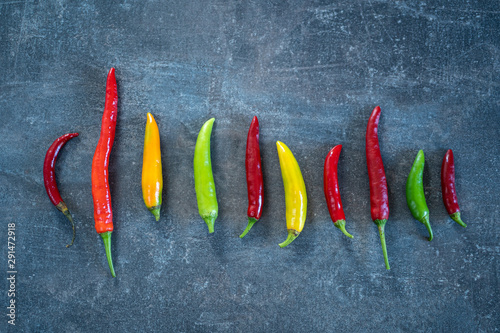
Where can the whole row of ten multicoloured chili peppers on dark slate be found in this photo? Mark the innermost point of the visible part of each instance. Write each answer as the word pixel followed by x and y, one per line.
pixel 294 186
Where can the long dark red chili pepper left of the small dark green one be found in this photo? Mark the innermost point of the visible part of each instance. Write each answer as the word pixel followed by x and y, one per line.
pixel 379 198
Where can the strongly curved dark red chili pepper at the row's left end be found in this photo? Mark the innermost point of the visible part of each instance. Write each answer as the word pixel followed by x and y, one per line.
pixel 49 177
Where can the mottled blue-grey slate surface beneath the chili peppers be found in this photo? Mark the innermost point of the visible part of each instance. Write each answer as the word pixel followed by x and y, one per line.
pixel 312 72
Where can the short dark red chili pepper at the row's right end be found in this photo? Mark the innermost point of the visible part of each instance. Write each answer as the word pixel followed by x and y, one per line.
pixel 448 188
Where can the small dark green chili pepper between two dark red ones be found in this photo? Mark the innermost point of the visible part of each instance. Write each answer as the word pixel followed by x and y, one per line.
pixel 415 192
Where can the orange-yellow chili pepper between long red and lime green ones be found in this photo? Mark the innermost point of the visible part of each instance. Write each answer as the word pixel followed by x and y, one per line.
pixel 152 180
